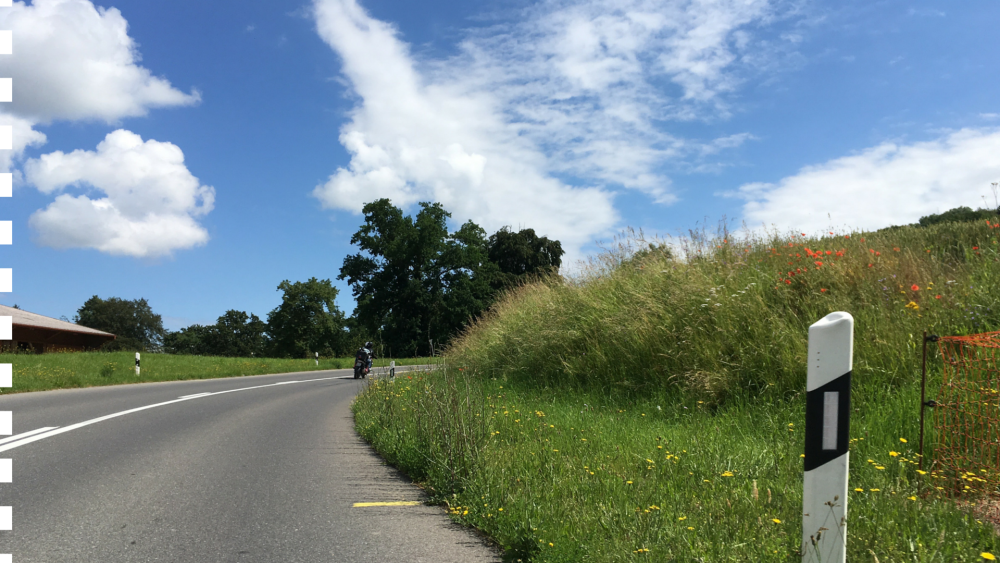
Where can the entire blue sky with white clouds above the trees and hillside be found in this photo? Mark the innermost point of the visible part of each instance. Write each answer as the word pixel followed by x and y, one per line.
pixel 198 153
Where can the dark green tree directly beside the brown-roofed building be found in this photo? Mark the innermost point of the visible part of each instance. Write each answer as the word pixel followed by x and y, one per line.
pixel 133 322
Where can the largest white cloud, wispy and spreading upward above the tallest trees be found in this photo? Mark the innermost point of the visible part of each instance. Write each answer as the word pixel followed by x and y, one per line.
pixel 536 123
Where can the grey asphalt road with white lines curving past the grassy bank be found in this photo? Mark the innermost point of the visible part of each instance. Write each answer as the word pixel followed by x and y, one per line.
pixel 266 474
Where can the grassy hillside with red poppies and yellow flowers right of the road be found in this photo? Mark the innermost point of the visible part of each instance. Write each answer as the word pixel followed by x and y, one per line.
pixel 654 408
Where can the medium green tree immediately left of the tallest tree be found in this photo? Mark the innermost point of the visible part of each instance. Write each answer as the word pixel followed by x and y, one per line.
pixel 307 320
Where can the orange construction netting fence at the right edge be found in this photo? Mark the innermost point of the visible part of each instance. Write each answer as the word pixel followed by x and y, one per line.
pixel 967 413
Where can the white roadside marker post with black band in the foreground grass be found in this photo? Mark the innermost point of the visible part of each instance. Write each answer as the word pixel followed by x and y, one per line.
pixel 828 411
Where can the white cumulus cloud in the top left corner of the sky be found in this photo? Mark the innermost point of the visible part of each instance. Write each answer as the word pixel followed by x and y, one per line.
pixel 73 61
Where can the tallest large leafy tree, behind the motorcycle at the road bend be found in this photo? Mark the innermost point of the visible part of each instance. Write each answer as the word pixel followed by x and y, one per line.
pixel 414 281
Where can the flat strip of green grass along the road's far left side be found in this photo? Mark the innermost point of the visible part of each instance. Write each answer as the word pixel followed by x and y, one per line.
pixel 41 372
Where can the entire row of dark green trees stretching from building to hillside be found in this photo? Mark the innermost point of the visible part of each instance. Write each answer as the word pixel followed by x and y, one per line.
pixel 417 285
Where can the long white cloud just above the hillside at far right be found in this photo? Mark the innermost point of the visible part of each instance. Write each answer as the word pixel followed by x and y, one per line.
pixel 889 184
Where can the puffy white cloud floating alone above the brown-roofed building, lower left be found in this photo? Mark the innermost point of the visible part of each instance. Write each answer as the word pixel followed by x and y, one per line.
pixel 150 200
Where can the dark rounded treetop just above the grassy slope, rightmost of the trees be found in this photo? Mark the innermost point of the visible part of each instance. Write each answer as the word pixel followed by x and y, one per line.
pixel 522 256
